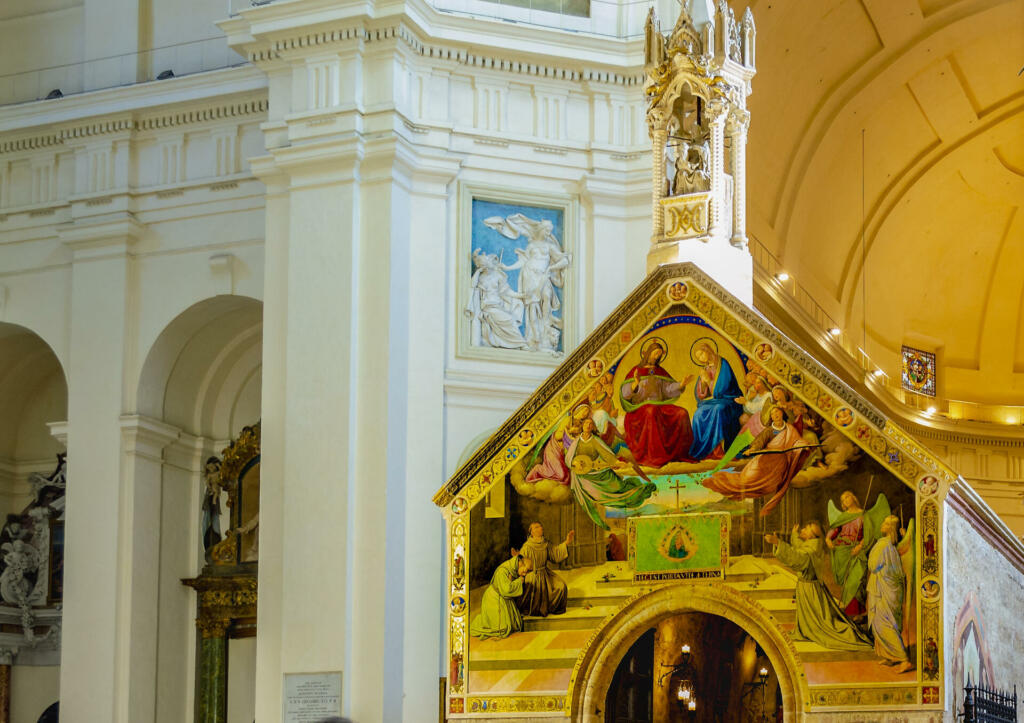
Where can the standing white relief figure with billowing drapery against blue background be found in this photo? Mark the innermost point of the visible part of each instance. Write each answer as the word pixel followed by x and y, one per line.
pixel 542 266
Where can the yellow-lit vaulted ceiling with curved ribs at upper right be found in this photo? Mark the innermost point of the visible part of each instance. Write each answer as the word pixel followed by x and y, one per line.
pixel 887 155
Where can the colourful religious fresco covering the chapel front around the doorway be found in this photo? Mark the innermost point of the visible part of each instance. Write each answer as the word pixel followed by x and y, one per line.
pixel 682 429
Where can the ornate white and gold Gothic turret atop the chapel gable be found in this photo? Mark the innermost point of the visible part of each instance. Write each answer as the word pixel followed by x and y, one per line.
pixel 698 80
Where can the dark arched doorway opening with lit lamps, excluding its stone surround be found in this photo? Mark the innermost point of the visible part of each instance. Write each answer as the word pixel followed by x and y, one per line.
pixel 694 668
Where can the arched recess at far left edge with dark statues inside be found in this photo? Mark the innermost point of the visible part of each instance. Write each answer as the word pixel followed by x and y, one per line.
pixel 34 398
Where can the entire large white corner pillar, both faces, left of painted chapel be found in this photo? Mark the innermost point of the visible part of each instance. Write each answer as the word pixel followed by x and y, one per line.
pixel 353 424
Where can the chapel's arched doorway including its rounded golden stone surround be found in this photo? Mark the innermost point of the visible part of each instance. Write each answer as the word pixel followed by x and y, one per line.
pixel 731 637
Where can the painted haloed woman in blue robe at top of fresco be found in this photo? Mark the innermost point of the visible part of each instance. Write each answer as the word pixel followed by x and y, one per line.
pixel 716 420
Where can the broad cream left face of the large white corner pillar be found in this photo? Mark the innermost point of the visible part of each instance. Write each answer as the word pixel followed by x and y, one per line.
pixel 310 418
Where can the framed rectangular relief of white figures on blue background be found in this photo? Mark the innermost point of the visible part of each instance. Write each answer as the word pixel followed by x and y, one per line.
pixel 517 275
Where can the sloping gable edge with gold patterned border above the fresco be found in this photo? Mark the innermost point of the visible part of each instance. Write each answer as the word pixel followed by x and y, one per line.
pixel 668 287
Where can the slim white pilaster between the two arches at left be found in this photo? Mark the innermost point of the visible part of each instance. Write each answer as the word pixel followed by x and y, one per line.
pixel 98 615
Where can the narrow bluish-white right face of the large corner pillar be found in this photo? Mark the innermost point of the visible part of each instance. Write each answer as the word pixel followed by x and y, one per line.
pixel 419 266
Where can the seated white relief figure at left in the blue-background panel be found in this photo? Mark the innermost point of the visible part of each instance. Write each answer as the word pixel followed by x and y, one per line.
pixel 495 310
